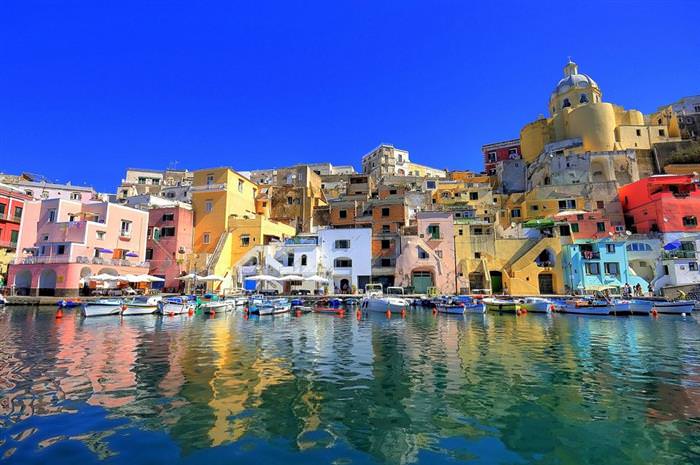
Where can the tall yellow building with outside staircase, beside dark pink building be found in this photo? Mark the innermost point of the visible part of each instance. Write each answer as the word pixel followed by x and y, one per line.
pixel 225 210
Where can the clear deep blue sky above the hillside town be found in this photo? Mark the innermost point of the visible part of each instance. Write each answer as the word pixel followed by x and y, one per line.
pixel 88 89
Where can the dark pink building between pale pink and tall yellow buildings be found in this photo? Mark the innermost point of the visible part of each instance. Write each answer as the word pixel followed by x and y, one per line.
pixel 169 243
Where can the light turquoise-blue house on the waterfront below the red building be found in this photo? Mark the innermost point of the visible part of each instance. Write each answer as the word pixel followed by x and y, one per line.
pixel 592 265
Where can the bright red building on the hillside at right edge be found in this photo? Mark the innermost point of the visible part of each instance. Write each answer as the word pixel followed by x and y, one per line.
pixel 665 203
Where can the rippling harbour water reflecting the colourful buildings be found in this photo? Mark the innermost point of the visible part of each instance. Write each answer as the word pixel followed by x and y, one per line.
pixel 492 389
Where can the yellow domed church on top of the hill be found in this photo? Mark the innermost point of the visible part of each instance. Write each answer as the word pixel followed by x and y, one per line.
pixel 577 111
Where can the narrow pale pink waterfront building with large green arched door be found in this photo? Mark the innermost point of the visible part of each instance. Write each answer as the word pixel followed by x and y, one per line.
pixel 427 256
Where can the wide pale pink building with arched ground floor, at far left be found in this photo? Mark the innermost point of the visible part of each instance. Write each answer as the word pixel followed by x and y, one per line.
pixel 63 241
